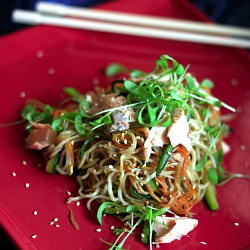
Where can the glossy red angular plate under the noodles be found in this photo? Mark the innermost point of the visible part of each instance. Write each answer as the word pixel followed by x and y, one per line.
pixel 38 62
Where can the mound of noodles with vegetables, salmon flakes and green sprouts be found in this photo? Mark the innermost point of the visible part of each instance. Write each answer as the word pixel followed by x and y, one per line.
pixel 148 149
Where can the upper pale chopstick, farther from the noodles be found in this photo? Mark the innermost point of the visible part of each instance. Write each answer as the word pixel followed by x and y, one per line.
pixel 158 22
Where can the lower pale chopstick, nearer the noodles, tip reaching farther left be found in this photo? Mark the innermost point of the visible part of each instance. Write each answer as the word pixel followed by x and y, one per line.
pixel 34 18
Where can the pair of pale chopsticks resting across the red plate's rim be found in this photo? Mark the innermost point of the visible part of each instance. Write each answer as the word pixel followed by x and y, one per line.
pixel 136 25
